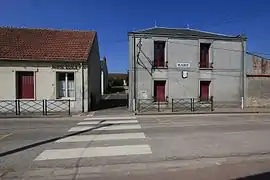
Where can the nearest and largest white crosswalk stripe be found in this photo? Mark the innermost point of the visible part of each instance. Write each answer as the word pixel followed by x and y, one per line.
pixel 94 152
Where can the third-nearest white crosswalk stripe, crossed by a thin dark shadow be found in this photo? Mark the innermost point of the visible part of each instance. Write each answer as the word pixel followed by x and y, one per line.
pixel 113 127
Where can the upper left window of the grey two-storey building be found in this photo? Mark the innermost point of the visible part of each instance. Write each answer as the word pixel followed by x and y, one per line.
pixel 159 54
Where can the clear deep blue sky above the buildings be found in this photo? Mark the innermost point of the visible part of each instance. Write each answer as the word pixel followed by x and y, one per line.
pixel 112 19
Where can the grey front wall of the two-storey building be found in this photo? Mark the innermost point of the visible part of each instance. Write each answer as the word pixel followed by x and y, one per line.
pixel 226 77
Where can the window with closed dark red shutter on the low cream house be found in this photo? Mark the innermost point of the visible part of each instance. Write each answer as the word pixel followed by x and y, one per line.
pixel 25 87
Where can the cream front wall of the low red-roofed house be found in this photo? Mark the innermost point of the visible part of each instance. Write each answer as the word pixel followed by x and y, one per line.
pixel 45 81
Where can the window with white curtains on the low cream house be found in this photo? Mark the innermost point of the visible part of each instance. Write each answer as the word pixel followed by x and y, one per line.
pixel 65 85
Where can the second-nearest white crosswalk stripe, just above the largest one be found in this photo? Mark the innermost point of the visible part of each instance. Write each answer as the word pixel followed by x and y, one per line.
pixel 83 138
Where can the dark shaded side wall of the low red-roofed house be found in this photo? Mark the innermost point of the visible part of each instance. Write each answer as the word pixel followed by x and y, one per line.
pixel 94 75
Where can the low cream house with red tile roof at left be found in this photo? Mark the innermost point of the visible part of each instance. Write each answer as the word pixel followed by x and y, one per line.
pixel 53 65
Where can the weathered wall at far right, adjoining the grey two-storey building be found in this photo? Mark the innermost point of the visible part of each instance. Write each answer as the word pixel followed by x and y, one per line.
pixel 258 81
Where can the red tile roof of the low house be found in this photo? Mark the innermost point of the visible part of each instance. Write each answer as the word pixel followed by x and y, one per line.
pixel 45 44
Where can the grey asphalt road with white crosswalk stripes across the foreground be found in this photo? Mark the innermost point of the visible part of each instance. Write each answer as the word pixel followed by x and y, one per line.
pixel 190 147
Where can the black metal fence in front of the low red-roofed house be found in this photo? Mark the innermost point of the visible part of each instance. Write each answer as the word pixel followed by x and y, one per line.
pixel 43 107
